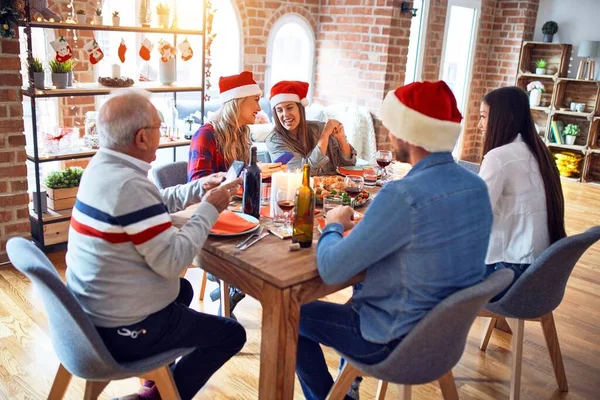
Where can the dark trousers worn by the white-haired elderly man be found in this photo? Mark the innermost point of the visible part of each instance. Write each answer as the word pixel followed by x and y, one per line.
pixel 215 339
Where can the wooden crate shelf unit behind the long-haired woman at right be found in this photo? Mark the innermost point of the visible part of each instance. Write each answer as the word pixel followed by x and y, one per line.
pixel 555 106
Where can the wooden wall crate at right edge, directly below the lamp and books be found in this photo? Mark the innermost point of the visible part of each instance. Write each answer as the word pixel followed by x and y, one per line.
pixel 578 91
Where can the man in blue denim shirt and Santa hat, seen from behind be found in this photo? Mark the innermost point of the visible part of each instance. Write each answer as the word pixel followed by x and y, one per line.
pixel 423 238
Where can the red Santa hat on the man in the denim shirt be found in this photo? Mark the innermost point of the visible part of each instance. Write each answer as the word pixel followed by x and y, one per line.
pixel 423 114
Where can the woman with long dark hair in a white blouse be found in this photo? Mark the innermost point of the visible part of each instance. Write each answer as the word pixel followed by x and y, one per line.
pixel 523 182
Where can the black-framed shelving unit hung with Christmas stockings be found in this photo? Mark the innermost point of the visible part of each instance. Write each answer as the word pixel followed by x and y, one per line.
pixel 51 228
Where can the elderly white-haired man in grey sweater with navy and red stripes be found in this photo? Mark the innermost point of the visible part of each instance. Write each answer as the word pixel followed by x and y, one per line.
pixel 124 255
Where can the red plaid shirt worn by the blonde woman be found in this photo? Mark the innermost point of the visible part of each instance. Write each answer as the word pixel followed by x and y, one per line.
pixel 205 158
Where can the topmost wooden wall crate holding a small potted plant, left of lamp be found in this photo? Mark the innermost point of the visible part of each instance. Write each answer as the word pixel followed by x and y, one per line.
pixel 556 54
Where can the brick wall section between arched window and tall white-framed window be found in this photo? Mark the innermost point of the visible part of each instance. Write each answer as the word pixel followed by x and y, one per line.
pixel 361 54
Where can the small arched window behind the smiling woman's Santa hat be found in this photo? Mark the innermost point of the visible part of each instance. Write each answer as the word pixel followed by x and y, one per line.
pixel 291 54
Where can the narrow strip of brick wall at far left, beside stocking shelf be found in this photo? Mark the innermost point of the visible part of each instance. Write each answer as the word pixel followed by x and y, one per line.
pixel 14 214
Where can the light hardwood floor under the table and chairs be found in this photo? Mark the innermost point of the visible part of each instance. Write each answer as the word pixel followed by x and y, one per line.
pixel 28 363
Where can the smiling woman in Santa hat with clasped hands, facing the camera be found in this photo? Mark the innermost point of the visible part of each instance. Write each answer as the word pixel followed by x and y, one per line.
pixel 321 145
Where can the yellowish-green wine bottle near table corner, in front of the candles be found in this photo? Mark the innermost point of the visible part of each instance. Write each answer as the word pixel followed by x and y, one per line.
pixel 305 211
